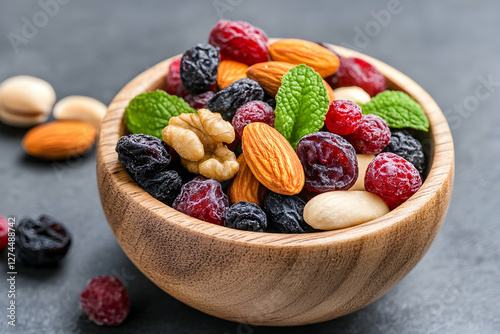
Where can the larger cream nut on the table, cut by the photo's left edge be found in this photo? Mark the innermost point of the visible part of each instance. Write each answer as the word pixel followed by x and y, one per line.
pixel 25 101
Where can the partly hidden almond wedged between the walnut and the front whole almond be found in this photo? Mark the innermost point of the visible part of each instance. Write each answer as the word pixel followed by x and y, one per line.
pixel 245 186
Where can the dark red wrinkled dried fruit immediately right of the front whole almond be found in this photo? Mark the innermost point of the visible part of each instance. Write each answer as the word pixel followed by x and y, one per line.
pixel 329 162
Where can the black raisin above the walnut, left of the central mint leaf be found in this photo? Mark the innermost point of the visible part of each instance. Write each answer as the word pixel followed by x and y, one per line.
pixel 228 100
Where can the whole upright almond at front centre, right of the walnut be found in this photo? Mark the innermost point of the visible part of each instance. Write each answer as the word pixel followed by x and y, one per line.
pixel 272 159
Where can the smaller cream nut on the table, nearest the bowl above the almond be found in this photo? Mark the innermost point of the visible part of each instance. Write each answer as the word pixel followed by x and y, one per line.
pixel 80 108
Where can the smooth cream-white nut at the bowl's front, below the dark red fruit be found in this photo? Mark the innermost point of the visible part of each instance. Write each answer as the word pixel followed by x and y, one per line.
pixel 339 209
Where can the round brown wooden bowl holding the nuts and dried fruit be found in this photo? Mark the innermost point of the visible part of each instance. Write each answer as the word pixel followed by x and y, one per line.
pixel 267 278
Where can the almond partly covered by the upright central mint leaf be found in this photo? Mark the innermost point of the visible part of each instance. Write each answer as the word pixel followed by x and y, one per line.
pixel 269 74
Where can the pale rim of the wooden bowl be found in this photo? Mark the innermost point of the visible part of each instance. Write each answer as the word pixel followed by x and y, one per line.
pixel 440 169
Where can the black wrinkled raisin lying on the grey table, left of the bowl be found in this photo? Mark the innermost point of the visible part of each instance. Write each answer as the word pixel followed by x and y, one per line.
pixel 42 242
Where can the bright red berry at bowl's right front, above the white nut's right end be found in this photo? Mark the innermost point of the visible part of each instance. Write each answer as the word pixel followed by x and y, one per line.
pixel 392 178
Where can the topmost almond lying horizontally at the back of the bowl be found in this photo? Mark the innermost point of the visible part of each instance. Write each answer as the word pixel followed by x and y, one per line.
pixel 298 51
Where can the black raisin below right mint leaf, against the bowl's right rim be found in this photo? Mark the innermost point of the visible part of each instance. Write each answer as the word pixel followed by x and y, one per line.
pixel 406 146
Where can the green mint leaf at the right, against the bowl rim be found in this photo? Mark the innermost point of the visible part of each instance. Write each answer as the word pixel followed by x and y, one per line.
pixel 398 109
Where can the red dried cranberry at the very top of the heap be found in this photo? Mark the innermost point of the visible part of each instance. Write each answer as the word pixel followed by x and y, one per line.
pixel 239 41
